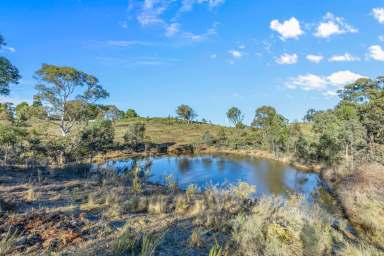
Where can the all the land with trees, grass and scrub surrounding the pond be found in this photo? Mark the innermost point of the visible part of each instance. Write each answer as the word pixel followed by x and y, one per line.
pixel 53 203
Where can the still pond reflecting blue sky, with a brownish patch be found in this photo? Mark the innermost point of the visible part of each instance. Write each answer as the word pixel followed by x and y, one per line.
pixel 270 177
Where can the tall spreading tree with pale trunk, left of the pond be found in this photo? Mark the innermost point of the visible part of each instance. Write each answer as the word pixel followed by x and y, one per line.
pixel 59 86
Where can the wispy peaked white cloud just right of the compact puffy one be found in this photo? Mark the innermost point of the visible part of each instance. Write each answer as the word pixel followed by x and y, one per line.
pixel 333 25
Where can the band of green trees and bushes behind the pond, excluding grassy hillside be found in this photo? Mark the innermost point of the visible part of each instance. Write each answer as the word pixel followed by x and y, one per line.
pixel 67 98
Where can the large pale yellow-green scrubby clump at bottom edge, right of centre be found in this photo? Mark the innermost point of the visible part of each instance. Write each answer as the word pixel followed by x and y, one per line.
pixel 276 227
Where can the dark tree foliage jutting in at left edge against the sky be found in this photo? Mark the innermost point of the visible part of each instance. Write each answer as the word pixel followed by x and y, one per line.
pixel 9 74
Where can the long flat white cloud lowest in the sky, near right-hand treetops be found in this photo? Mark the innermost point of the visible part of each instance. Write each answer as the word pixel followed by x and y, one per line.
pixel 312 82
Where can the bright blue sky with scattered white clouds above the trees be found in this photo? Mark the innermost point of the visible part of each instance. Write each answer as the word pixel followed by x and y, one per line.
pixel 153 55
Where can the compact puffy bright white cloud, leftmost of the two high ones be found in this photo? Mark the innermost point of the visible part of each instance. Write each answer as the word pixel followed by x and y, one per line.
pixel 288 29
